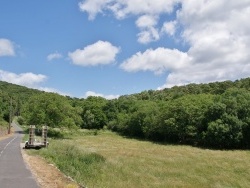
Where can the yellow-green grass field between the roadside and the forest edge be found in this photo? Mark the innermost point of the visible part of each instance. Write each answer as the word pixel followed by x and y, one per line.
pixel 109 160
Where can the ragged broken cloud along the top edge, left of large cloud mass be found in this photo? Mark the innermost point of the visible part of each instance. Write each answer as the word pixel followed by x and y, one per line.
pixel 147 11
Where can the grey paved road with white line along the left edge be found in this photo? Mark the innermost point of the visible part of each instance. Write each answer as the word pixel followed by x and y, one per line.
pixel 13 171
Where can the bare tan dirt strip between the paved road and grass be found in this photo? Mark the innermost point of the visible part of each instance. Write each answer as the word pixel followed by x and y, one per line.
pixel 47 175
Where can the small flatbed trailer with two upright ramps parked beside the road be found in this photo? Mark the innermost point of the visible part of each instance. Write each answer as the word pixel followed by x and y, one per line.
pixel 31 143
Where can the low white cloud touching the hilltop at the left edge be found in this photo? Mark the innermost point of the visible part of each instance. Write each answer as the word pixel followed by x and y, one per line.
pixel 25 79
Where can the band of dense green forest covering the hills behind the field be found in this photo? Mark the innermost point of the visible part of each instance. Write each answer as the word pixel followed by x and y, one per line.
pixel 214 115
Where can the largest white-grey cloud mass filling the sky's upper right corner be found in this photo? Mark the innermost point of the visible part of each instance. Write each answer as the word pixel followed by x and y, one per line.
pixel 218 34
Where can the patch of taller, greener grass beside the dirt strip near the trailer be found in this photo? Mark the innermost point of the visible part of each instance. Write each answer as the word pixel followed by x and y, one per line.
pixel 76 163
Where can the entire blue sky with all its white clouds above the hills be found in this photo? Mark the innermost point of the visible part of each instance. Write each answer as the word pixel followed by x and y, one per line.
pixel 110 48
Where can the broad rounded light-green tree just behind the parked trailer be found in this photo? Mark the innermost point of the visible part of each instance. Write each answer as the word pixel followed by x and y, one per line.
pixel 51 109
